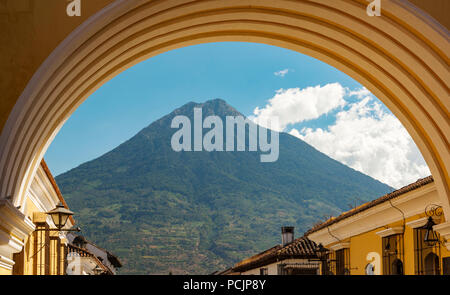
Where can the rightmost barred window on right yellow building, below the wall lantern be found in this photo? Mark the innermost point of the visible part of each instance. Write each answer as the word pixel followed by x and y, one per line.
pixel 426 256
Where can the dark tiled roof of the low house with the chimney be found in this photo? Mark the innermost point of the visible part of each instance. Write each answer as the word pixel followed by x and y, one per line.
pixel 299 248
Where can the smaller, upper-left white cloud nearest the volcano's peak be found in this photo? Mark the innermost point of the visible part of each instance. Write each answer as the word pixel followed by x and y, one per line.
pixel 295 105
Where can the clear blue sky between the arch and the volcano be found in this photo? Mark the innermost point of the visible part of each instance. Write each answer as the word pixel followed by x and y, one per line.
pixel 243 74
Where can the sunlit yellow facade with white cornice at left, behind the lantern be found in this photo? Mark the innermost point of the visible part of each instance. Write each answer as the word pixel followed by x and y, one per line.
pixel 32 249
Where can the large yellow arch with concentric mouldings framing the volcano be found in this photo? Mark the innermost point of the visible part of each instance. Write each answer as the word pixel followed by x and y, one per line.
pixel 400 56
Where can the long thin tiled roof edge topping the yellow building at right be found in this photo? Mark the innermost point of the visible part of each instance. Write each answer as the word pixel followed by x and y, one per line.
pixel 415 185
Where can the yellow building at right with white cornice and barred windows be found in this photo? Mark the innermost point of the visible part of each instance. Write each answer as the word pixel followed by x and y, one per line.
pixel 388 235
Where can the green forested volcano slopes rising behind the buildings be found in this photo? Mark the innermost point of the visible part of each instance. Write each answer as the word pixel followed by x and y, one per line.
pixel 163 211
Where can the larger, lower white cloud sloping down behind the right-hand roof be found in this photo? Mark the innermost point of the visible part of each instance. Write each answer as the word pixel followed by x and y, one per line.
pixel 370 140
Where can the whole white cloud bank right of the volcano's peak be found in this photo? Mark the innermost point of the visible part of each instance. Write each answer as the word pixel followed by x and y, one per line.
pixel 364 135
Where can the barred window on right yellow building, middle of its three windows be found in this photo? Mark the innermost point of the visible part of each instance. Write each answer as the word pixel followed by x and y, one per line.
pixel 393 255
